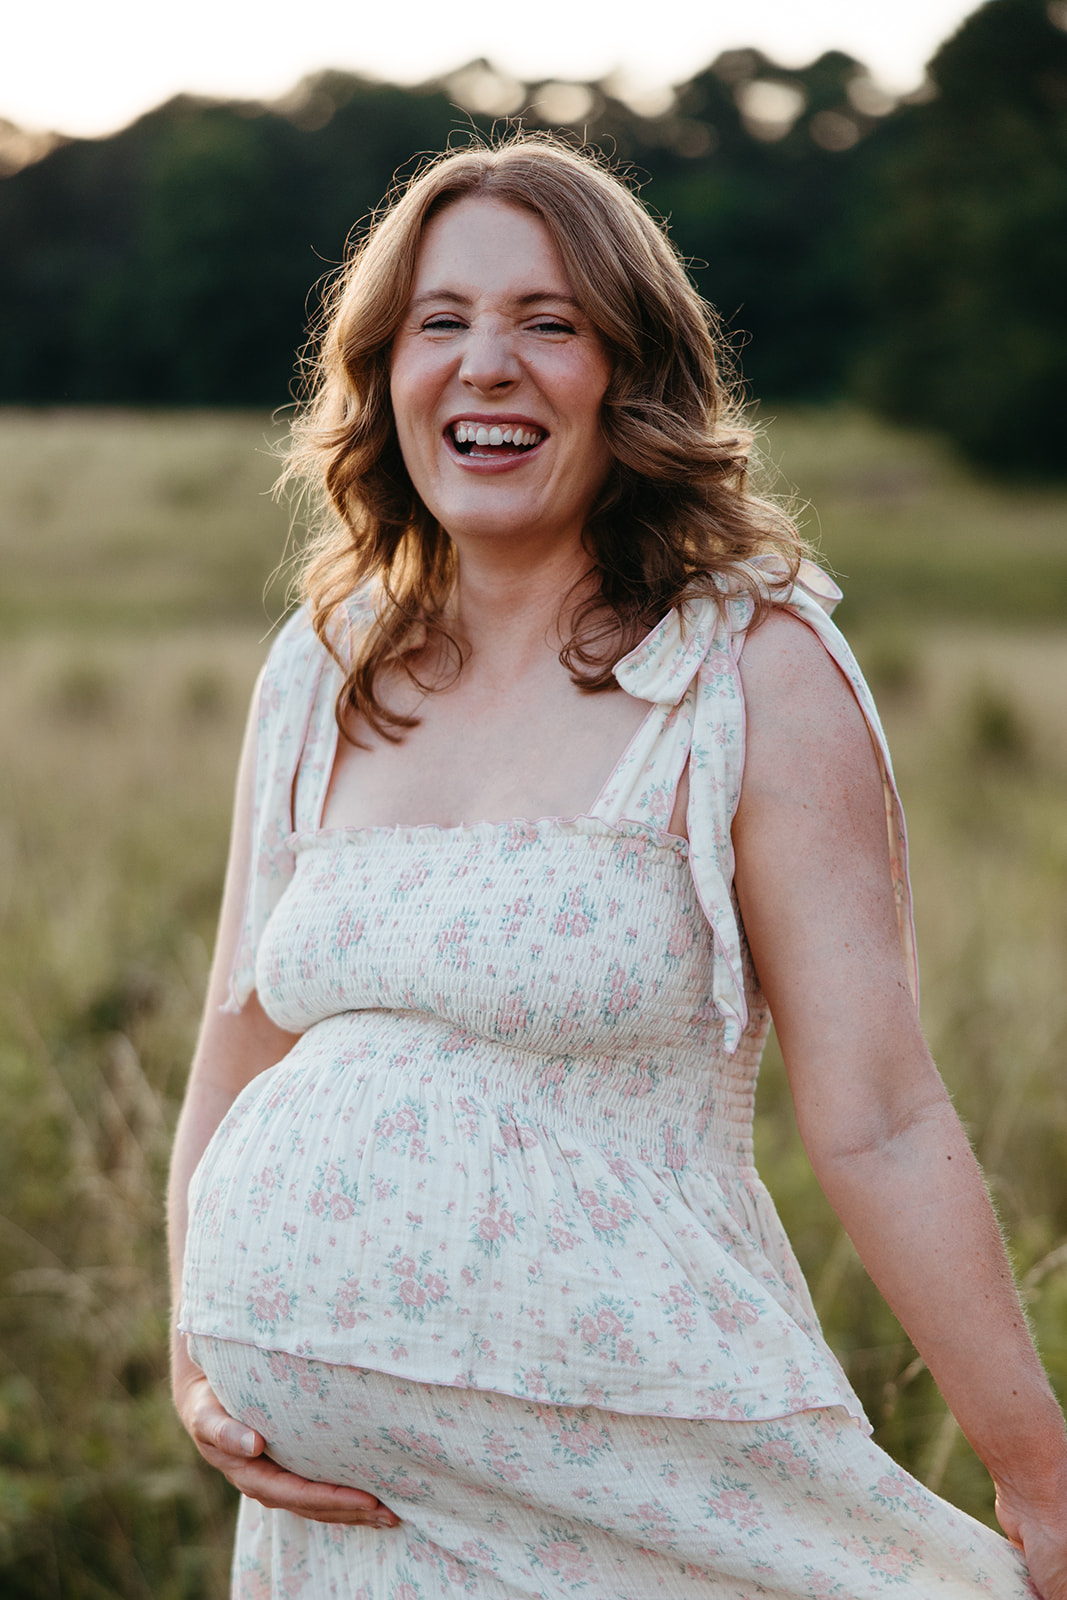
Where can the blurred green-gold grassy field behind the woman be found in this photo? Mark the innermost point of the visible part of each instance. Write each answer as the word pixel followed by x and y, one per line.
pixel 135 554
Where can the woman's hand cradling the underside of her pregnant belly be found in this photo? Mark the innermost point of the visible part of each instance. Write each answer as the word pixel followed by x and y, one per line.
pixel 241 1455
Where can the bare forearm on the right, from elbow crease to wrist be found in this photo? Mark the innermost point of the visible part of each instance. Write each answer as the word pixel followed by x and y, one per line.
pixel 919 1215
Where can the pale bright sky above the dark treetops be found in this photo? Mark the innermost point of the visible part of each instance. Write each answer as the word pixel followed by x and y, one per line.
pixel 90 68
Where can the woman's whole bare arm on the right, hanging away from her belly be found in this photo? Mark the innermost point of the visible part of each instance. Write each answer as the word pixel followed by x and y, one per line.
pixel 815 894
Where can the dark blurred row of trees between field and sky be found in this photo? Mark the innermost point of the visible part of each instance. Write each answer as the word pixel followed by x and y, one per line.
pixel 913 257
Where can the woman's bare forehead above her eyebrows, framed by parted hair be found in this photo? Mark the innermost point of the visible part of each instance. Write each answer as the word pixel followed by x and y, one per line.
pixel 487 247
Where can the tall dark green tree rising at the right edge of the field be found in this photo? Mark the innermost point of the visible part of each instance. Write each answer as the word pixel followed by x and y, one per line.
pixel 967 246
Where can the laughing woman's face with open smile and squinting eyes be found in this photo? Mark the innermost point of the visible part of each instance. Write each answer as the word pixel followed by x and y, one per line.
pixel 498 380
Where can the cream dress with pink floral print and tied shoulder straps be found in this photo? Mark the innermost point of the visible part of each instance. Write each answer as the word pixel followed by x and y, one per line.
pixel 506 1177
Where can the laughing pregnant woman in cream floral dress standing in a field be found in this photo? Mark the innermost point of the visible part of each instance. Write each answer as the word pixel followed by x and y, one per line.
pixel 561 785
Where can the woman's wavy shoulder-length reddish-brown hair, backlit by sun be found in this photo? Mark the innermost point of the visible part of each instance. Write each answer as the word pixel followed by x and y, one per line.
pixel 674 511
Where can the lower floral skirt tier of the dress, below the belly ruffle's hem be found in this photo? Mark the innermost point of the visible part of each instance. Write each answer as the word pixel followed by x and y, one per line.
pixel 510 1500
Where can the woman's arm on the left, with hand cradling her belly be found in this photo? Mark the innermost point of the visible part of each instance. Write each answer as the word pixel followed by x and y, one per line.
pixel 231 1052
